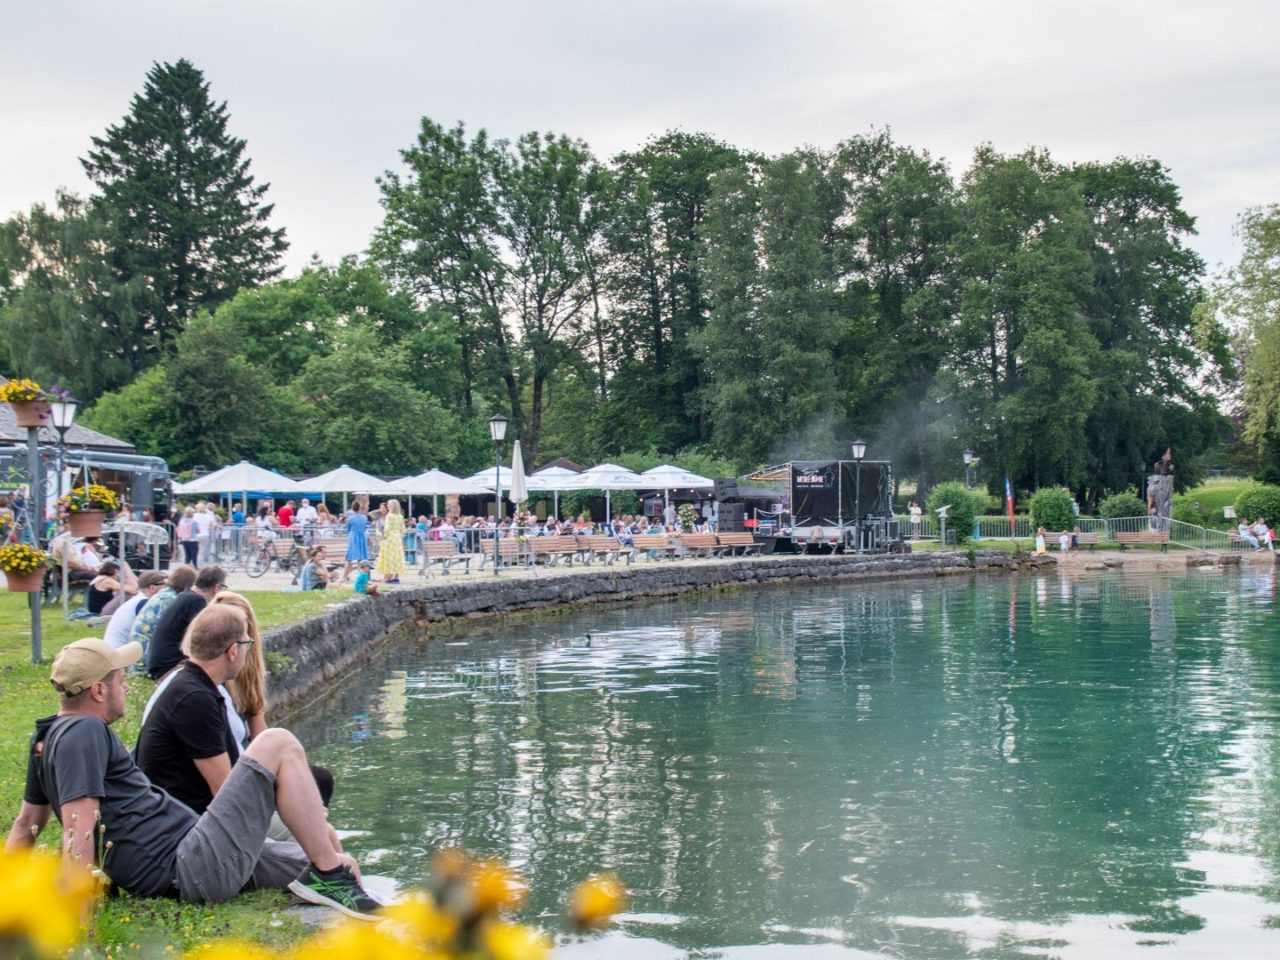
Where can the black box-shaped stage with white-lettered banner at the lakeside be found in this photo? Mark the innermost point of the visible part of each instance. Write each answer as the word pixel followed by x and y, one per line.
pixel 839 506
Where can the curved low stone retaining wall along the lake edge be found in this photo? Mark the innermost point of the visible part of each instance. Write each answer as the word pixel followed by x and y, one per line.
pixel 327 646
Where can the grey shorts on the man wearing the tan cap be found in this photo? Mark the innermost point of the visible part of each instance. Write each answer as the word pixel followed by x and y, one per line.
pixel 227 851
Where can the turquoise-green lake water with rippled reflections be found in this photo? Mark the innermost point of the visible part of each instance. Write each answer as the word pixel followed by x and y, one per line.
pixel 1005 767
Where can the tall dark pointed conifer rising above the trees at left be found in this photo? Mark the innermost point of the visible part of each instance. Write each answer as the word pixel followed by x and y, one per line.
pixel 193 223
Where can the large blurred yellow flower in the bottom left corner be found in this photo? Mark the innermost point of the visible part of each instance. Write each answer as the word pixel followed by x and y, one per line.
pixel 43 902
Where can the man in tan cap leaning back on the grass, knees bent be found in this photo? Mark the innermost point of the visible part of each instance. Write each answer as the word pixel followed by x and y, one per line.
pixel 154 847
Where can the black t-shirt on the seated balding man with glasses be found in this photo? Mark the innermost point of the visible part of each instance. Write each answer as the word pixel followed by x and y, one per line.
pixel 188 724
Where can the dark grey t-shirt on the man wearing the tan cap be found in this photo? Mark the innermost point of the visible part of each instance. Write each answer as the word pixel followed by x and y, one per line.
pixel 76 757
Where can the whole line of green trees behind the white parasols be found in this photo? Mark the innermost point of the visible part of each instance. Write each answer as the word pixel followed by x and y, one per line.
pixel 685 299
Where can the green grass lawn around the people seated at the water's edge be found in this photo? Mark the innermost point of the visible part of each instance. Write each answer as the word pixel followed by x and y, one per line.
pixel 26 696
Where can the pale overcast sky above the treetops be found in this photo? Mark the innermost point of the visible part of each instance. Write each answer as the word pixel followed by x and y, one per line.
pixel 327 94
